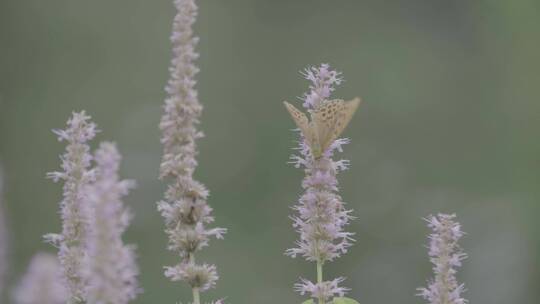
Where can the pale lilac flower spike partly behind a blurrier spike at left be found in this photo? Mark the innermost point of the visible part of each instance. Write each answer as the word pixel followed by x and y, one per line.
pixel 76 175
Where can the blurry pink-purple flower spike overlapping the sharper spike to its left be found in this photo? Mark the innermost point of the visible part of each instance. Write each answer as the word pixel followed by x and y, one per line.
pixel 110 270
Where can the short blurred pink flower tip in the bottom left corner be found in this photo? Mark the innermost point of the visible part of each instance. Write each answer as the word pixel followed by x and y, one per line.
pixel 41 284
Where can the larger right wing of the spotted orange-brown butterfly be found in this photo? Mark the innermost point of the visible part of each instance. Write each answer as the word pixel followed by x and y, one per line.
pixel 332 118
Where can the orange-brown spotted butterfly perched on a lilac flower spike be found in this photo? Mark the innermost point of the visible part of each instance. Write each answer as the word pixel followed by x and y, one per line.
pixel 327 122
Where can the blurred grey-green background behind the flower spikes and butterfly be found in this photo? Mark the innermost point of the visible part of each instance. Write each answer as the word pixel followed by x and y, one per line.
pixel 449 123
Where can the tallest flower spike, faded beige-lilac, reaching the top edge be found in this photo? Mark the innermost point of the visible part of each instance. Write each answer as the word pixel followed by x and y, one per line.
pixel 184 207
